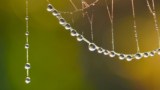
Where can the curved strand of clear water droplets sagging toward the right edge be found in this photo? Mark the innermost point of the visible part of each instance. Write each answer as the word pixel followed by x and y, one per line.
pixel 93 47
